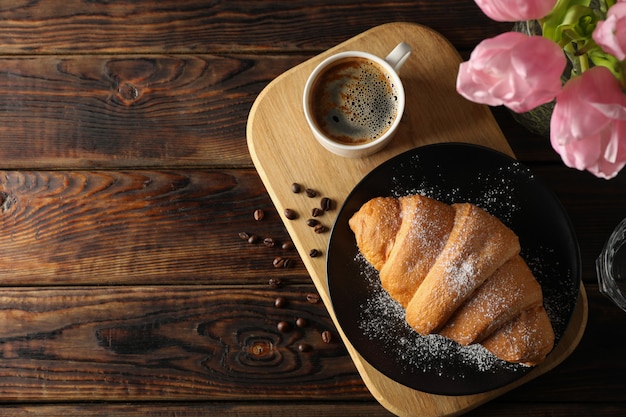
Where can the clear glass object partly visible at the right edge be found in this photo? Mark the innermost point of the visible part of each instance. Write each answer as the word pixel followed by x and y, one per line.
pixel 611 267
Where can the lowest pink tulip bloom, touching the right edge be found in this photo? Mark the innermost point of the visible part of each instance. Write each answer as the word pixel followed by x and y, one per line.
pixel 588 125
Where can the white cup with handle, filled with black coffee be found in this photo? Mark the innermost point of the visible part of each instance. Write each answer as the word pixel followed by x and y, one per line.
pixel 353 101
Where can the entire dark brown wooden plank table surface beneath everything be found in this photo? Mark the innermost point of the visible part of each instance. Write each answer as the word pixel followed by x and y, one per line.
pixel 126 181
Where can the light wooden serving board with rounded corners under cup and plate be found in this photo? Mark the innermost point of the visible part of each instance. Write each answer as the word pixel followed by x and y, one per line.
pixel 284 151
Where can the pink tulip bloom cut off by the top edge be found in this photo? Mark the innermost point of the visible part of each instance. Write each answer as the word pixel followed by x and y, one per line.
pixel 516 10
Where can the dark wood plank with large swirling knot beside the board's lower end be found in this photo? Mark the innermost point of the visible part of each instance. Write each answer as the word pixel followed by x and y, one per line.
pixel 168 343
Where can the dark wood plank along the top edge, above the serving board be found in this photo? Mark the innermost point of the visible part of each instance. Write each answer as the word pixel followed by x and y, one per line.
pixel 201 26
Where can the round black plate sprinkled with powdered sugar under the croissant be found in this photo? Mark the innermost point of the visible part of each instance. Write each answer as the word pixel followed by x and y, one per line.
pixel 452 172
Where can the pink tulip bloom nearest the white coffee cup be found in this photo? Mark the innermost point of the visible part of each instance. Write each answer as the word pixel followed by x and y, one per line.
pixel 513 69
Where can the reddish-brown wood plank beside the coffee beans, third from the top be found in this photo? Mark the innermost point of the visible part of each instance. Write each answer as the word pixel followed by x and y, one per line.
pixel 150 227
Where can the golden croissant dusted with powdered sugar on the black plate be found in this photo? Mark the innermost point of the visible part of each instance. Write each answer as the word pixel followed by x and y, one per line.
pixel 458 272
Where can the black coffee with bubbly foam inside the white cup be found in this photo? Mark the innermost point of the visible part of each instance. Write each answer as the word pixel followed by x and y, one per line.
pixel 354 101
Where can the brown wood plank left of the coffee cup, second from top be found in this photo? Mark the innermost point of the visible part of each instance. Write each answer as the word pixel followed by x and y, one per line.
pixel 92 111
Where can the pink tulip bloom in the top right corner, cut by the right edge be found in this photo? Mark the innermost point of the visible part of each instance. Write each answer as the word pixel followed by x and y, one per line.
pixel 610 34
